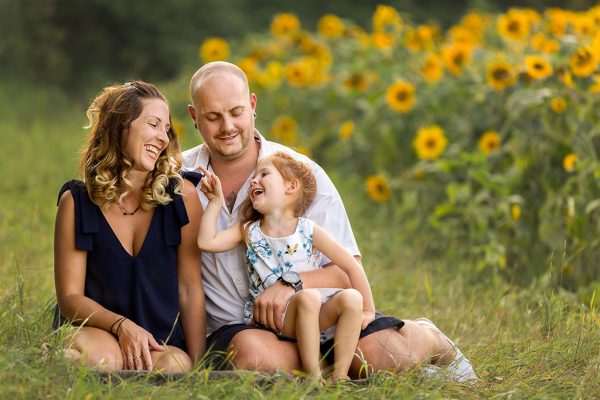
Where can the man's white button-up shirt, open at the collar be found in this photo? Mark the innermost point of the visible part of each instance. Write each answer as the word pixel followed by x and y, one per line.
pixel 224 275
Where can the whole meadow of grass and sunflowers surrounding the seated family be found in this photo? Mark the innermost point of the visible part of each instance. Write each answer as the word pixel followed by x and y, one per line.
pixel 468 163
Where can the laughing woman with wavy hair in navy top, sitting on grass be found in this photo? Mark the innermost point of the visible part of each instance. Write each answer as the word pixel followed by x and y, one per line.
pixel 126 264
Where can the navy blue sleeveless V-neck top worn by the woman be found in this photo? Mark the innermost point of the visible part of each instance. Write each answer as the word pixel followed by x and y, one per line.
pixel 143 287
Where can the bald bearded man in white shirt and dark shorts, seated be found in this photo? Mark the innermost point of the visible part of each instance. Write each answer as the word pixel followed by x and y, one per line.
pixel 223 110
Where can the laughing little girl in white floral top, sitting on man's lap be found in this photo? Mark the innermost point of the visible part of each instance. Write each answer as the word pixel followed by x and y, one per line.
pixel 280 244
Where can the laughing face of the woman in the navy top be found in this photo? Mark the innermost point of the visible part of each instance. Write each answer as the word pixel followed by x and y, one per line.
pixel 146 137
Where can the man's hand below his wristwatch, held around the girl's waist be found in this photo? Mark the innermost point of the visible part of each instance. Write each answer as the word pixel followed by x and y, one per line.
pixel 270 305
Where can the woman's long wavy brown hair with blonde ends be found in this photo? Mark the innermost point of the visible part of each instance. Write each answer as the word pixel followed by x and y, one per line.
pixel 104 166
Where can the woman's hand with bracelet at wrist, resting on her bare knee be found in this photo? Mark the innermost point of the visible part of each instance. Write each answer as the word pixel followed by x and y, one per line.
pixel 136 344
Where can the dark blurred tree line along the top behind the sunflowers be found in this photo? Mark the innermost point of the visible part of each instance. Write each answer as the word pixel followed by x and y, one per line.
pixel 80 44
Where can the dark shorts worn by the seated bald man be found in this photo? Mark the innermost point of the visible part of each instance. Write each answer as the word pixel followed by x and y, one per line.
pixel 217 342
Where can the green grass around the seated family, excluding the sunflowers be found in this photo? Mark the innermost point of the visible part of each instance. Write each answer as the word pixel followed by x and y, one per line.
pixel 537 341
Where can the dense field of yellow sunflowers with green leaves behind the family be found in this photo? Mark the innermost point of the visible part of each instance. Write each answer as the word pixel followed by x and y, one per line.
pixel 482 138
